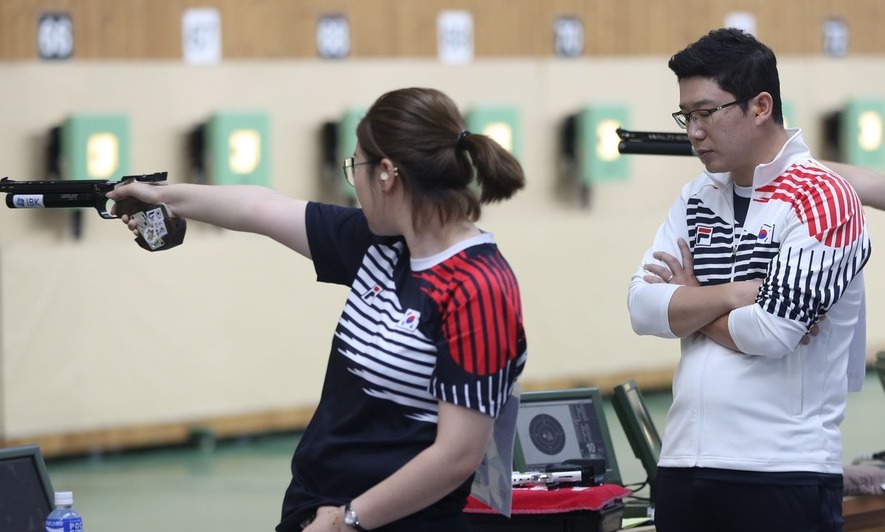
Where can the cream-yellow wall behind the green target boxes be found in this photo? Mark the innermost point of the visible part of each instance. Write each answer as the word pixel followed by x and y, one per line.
pixel 98 334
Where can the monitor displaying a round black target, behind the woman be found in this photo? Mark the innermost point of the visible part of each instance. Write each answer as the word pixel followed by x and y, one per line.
pixel 559 425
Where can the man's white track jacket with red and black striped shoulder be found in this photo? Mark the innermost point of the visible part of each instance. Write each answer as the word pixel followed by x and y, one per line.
pixel 775 405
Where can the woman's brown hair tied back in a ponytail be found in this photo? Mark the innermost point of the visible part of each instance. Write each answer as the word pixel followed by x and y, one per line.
pixel 422 132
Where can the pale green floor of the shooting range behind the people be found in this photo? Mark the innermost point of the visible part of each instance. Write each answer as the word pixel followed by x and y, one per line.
pixel 237 486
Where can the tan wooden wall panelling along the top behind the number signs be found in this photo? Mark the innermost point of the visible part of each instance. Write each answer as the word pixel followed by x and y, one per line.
pixel 277 29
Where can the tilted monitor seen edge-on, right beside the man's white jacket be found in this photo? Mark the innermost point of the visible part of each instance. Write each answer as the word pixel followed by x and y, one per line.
pixel 633 414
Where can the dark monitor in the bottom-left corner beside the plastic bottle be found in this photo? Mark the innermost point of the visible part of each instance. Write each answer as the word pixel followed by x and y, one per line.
pixel 26 495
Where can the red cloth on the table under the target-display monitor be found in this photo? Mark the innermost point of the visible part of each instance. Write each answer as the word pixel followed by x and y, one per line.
pixel 540 500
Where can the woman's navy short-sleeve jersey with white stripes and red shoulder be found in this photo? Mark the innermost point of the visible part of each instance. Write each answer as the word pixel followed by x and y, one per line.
pixel 412 333
